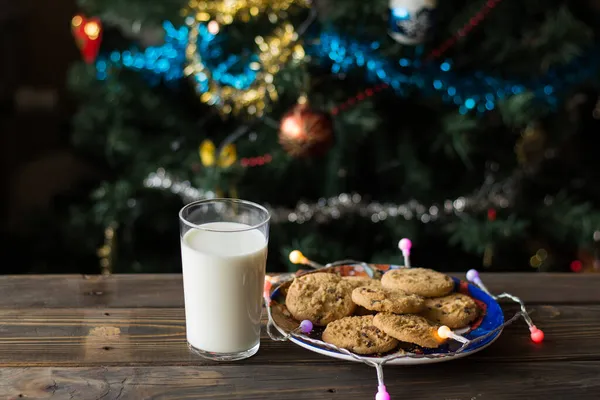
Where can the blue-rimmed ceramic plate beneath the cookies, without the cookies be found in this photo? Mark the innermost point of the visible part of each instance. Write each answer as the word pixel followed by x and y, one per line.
pixel 492 318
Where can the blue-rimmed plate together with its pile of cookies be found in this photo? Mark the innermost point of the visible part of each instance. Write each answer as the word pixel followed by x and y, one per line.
pixel 377 313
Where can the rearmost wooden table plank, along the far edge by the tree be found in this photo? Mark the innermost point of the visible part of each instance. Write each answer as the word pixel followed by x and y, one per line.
pixel 165 290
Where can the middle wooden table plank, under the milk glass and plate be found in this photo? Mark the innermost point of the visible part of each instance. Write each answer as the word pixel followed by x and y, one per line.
pixel 146 337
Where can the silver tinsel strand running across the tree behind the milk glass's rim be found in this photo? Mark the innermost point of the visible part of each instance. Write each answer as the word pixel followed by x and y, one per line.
pixel 491 195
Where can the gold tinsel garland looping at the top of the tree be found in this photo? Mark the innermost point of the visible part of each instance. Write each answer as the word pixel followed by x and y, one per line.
pixel 274 52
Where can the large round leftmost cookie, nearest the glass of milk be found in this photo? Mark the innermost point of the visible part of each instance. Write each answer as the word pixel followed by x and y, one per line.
pixel 320 298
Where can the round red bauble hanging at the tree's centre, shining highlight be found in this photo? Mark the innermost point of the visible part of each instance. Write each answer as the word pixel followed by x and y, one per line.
pixel 306 132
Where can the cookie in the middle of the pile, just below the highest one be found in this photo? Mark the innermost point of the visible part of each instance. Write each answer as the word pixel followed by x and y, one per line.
pixel 382 299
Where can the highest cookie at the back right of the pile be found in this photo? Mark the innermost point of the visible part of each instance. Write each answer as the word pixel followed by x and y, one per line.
pixel 421 281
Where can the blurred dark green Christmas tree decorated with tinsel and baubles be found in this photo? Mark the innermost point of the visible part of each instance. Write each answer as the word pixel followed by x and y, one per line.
pixel 465 126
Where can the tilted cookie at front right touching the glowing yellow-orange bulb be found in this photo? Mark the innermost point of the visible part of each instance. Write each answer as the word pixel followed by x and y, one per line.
pixel 409 328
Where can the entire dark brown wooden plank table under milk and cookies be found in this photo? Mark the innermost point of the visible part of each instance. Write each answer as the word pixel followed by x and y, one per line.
pixel 123 337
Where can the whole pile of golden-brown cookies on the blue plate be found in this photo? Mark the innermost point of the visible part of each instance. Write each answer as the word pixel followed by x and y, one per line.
pixel 368 316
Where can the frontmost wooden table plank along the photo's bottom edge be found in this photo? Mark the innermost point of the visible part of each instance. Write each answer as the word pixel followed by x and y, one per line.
pixel 462 379
